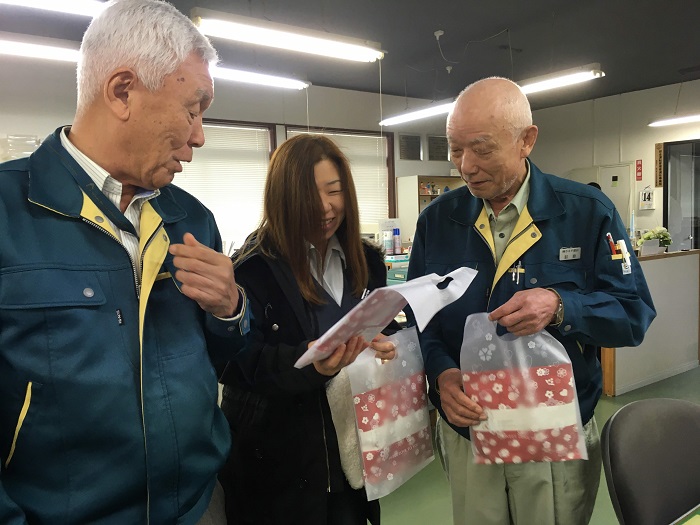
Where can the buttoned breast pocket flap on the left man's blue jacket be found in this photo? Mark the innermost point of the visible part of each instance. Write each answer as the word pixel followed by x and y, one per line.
pixel 49 288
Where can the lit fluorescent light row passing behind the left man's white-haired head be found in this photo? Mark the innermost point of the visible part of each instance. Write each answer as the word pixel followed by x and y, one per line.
pixel 56 51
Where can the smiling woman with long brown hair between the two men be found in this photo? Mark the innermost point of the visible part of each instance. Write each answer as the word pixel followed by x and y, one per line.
pixel 295 456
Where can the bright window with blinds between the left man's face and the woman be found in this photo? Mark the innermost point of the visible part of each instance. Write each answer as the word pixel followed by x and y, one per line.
pixel 228 175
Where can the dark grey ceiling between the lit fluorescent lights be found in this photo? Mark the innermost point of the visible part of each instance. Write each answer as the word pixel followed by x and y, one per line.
pixel 639 43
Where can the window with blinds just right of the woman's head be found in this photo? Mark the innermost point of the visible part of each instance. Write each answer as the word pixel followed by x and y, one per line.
pixel 369 159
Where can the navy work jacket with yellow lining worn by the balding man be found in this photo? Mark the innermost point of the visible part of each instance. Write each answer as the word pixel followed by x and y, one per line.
pixel 603 305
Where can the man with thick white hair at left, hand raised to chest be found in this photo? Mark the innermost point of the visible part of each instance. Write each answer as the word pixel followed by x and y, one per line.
pixel 115 298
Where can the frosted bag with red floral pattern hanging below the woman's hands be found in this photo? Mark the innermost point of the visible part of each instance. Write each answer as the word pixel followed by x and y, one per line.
pixel 391 409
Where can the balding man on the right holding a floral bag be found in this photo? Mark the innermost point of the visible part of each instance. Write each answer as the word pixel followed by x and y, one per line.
pixel 511 222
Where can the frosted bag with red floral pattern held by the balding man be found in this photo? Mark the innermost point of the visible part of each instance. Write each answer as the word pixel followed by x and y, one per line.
pixel 526 387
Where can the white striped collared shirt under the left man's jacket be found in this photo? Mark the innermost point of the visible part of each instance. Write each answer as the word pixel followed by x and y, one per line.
pixel 112 189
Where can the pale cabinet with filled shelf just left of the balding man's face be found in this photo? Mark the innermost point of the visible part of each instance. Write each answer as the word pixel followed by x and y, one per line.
pixel 412 198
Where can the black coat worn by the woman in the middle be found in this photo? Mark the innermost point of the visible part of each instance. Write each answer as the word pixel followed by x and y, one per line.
pixel 284 455
